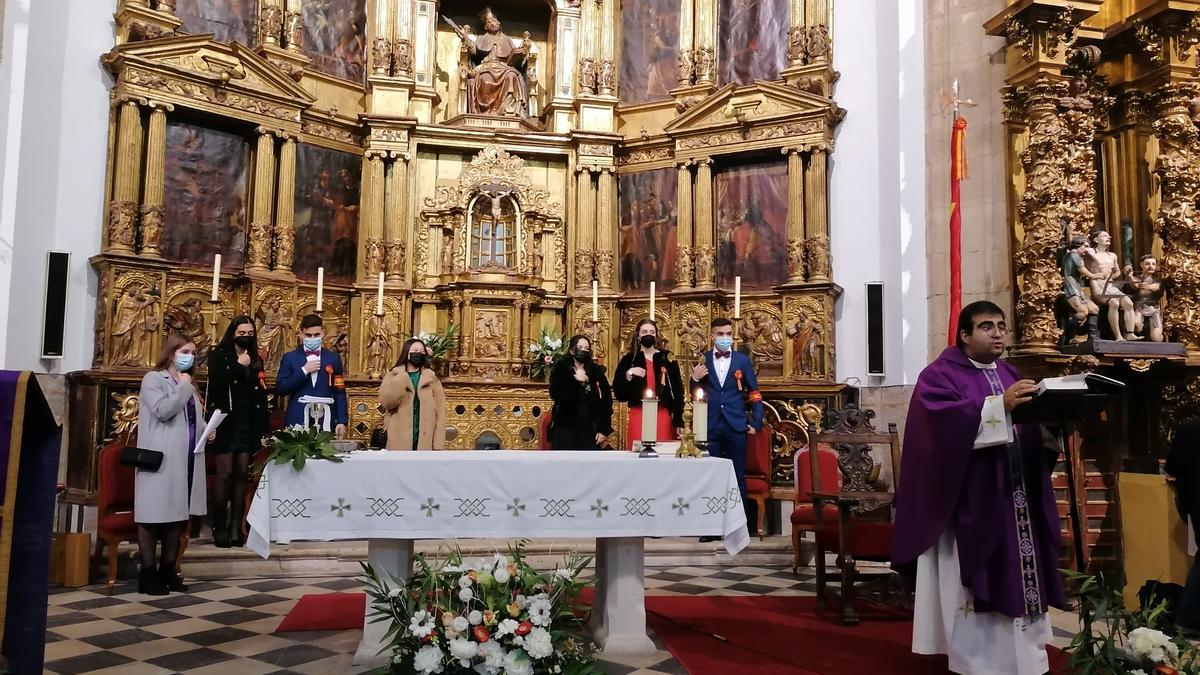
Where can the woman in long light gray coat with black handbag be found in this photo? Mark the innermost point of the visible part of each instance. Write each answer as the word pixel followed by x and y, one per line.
pixel 170 419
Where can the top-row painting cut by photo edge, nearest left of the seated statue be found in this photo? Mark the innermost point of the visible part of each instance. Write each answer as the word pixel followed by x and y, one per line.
pixel 335 38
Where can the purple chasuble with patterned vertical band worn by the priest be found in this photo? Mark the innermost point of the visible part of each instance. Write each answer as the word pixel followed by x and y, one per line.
pixel 999 500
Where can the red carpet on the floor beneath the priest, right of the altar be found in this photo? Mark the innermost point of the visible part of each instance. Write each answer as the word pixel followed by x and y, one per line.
pixel 761 636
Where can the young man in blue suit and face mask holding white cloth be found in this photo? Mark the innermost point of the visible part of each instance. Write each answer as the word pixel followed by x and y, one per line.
pixel 311 371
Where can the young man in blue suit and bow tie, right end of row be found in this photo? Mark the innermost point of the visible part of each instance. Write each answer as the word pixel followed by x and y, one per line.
pixel 735 405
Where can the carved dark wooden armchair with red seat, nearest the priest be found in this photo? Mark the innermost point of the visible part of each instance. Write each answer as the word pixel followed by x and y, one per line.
pixel 865 503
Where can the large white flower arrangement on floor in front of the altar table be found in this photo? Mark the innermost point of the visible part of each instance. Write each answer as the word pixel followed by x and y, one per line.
pixel 493 617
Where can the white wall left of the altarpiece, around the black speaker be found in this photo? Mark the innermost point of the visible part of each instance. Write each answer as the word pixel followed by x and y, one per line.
pixel 53 130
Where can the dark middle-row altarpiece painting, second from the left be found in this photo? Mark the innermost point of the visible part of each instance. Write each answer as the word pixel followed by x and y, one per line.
pixel 327 213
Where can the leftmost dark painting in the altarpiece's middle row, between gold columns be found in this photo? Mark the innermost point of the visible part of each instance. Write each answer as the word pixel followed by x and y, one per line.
pixel 205 196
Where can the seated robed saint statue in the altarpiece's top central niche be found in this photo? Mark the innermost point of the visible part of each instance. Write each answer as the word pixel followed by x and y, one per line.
pixel 496 83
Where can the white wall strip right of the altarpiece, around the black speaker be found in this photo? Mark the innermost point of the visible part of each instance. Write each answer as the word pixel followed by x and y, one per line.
pixel 878 184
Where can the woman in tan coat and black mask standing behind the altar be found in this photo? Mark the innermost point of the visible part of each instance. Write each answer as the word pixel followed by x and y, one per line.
pixel 413 403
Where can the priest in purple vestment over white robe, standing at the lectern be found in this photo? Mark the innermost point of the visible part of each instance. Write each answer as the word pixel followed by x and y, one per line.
pixel 976 517
